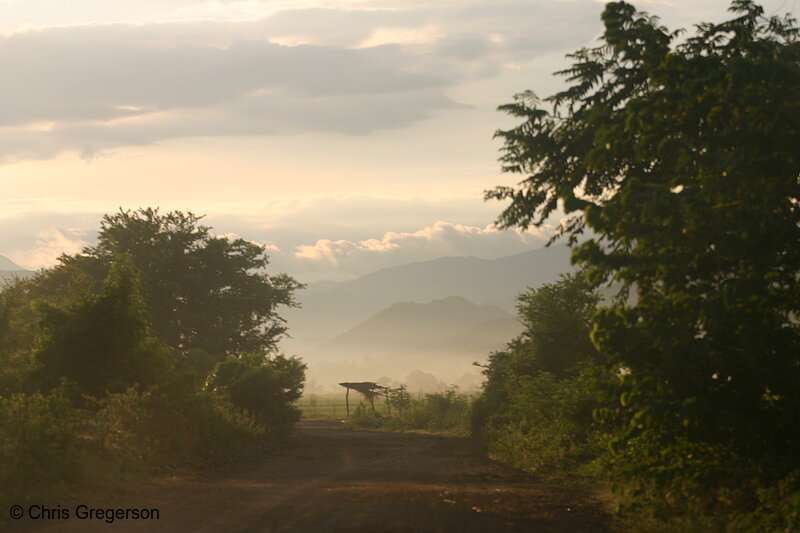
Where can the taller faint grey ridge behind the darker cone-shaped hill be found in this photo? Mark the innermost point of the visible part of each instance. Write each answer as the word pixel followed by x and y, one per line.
pixel 330 308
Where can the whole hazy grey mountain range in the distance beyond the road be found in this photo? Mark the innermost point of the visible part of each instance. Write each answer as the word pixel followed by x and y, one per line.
pixel 436 317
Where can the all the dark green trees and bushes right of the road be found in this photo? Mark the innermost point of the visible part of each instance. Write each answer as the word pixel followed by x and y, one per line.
pixel 675 158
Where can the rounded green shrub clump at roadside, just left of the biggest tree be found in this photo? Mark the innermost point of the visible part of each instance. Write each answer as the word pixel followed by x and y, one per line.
pixel 536 408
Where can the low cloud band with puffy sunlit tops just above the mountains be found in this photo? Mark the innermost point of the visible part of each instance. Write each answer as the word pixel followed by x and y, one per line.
pixel 312 239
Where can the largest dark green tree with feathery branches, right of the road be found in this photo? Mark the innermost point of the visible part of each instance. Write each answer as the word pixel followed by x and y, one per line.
pixel 682 158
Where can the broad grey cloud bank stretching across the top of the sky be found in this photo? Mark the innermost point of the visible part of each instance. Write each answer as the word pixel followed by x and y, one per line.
pixel 352 68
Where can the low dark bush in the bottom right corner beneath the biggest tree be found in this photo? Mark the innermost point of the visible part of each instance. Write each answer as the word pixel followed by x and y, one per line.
pixel 699 487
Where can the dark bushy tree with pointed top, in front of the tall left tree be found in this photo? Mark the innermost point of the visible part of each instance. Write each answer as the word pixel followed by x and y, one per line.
pixel 102 343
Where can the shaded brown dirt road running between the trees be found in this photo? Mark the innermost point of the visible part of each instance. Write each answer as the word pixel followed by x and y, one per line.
pixel 331 479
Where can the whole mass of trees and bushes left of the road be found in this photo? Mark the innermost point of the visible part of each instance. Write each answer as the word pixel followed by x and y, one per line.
pixel 156 346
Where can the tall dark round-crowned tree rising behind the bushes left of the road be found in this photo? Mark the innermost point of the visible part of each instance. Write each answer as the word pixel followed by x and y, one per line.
pixel 203 293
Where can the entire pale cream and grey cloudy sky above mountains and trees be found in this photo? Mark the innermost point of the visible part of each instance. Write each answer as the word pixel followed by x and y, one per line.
pixel 346 135
